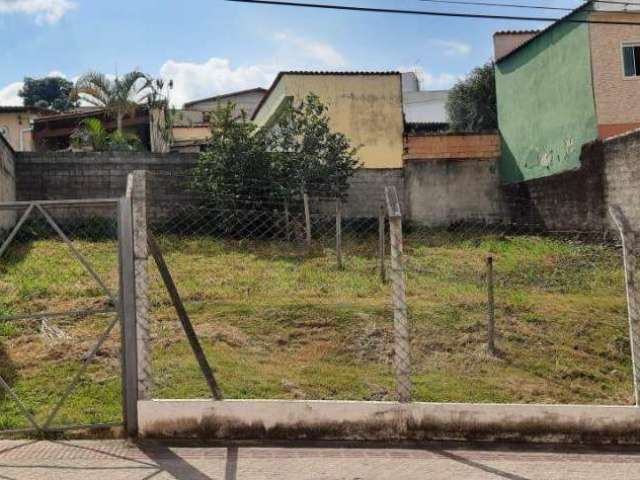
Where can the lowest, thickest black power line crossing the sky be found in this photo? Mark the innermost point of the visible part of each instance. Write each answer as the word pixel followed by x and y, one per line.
pixel 430 13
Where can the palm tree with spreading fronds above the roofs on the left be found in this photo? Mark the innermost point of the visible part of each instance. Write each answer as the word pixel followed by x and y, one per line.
pixel 116 96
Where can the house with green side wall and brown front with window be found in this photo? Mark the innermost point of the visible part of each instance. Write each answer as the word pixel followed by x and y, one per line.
pixel 565 86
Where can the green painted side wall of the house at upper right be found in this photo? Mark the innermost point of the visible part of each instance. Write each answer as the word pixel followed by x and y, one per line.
pixel 546 109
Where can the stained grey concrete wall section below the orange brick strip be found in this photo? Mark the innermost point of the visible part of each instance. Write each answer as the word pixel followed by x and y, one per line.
pixel 441 192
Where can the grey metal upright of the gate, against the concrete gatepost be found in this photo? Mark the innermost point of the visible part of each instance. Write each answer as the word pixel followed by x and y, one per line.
pixel 127 312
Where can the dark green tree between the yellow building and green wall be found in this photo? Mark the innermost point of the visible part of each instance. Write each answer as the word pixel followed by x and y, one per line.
pixel 471 106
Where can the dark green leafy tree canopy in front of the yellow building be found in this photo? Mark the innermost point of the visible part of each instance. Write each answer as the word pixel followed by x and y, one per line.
pixel 299 154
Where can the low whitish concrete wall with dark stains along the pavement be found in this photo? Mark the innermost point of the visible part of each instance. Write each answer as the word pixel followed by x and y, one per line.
pixel 344 420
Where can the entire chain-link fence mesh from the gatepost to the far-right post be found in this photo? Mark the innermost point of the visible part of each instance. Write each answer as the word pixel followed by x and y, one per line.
pixel 304 299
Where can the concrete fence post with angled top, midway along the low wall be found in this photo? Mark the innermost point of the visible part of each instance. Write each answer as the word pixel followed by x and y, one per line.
pixel 402 347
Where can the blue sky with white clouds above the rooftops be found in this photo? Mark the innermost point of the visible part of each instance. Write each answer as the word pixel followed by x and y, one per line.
pixel 209 47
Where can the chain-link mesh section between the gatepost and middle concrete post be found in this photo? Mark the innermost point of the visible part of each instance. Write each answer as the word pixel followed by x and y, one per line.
pixel 284 307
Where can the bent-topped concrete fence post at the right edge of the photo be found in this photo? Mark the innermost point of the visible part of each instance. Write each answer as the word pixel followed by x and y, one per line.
pixel 629 251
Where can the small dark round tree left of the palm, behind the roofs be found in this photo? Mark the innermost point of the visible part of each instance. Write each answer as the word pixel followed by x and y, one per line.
pixel 47 92
